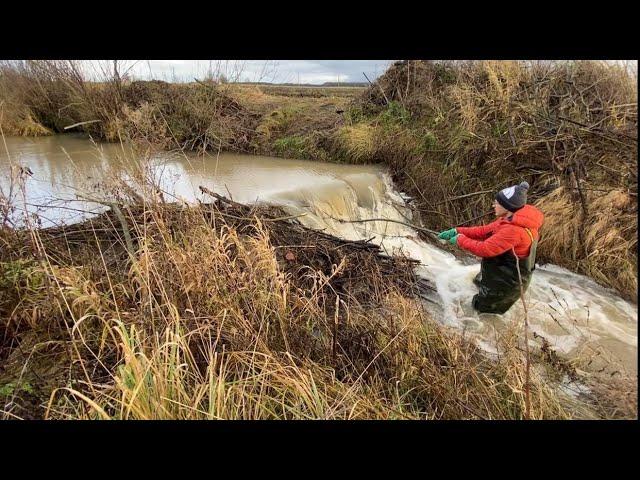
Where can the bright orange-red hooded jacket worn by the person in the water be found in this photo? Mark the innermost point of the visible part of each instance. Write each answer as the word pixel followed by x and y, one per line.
pixel 497 237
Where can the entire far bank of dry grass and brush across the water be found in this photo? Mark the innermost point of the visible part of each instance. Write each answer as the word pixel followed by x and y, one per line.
pixel 447 131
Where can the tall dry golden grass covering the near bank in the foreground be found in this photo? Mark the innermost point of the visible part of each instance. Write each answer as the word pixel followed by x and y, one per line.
pixel 207 317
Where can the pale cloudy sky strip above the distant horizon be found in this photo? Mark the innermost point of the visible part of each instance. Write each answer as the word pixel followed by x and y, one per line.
pixel 273 71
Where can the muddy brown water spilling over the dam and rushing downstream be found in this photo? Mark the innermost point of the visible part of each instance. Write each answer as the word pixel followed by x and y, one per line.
pixel 573 313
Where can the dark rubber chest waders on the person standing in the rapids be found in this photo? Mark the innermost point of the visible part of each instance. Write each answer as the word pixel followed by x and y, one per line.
pixel 498 280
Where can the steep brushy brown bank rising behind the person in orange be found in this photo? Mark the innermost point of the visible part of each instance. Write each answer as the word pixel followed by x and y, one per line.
pixel 451 132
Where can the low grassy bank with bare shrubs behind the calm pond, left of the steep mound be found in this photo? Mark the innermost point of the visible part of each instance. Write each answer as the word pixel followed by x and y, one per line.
pixel 40 97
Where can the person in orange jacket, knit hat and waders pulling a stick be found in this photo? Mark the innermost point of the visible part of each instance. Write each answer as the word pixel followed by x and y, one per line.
pixel 509 241
